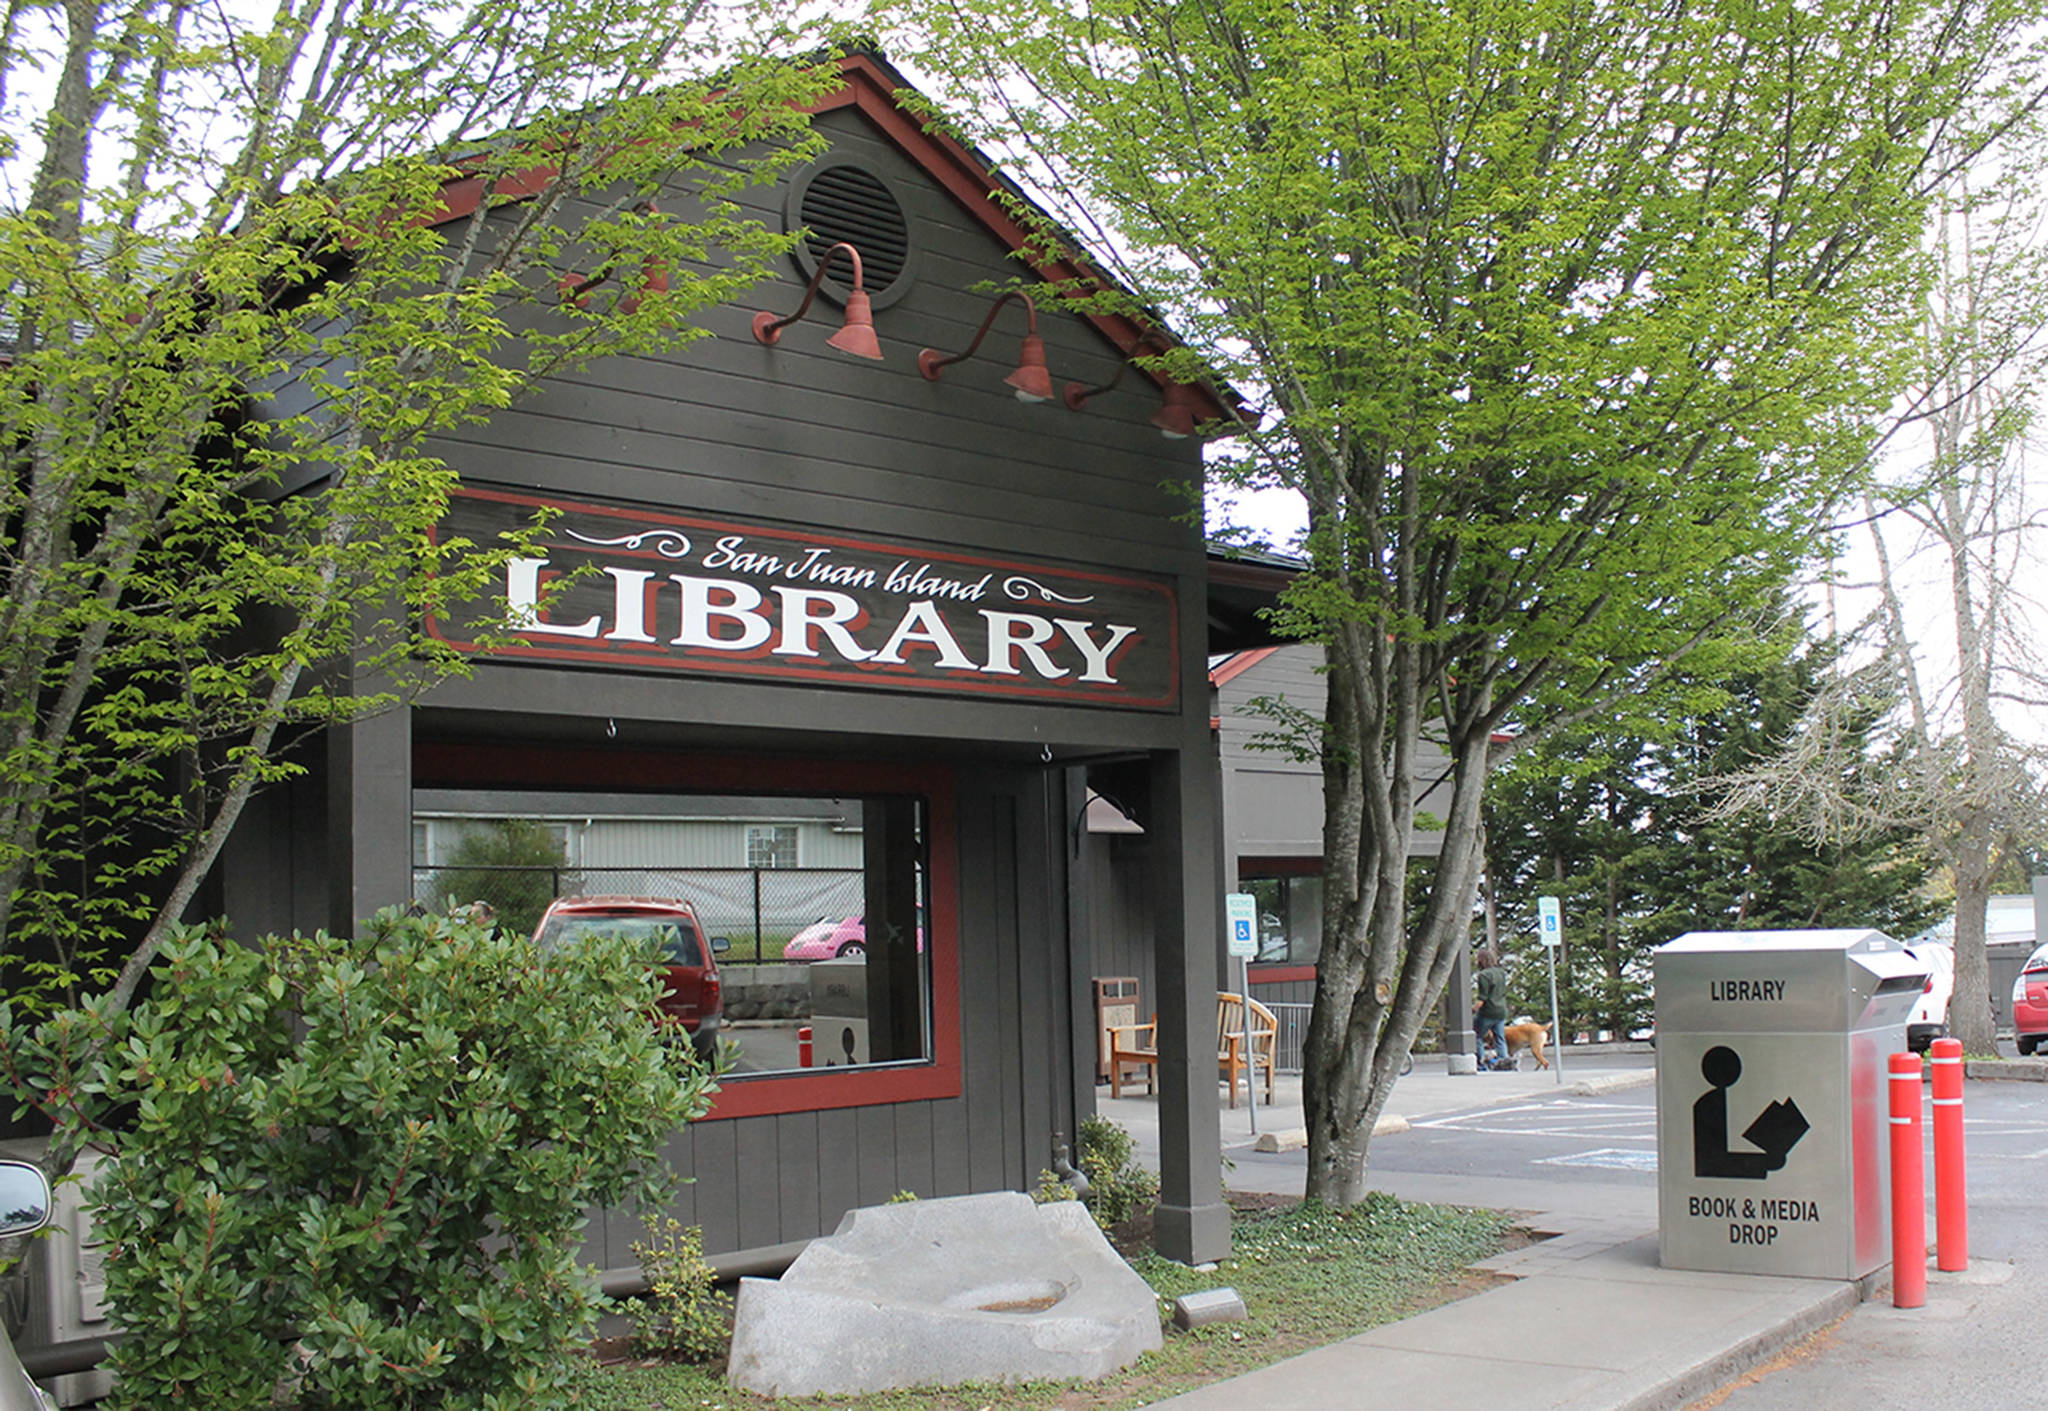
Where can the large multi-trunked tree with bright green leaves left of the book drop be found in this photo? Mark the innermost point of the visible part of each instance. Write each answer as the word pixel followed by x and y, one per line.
pixel 1564 318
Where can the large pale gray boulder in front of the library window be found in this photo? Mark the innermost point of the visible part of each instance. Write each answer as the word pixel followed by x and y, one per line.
pixel 933 1293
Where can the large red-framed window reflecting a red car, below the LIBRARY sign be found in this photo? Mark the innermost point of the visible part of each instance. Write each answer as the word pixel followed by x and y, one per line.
pixel 820 982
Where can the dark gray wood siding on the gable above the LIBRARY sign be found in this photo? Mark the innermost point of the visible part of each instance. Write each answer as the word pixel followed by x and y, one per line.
pixel 812 437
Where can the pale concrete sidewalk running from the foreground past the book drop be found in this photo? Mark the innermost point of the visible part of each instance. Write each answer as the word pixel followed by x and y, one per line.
pixel 1590 1324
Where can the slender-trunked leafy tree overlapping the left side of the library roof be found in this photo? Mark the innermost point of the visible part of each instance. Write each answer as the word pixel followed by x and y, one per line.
pixel 257 261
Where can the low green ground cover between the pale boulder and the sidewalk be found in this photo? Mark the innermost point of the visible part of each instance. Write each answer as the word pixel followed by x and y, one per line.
pixel 1308 1275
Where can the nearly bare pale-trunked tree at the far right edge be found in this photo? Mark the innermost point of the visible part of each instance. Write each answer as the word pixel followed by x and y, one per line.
pixel 1947 662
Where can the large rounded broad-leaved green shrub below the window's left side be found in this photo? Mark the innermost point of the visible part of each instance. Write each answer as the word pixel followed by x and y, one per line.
pixel 351 1174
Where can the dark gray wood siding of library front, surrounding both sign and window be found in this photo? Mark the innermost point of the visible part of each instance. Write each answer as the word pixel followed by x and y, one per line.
pixel 802 435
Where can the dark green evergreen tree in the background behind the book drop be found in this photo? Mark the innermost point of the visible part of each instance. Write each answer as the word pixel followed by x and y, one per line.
pixel 1621 826
